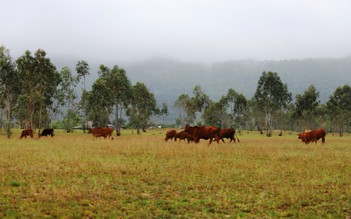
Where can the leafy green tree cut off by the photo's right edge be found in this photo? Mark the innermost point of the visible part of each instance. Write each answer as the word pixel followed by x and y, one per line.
pixel 339 106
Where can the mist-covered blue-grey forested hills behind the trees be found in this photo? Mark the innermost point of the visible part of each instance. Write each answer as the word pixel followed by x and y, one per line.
pixel 168 79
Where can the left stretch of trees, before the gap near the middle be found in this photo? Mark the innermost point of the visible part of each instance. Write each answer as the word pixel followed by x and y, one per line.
pixel 33 91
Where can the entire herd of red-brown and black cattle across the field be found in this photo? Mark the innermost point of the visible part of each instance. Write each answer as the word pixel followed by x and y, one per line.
pixel 191 134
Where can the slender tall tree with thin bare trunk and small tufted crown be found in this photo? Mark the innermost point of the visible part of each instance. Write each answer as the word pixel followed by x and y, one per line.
pixel 82 69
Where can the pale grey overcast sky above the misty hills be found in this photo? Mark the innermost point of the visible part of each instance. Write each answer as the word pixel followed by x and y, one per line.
pixel 186 30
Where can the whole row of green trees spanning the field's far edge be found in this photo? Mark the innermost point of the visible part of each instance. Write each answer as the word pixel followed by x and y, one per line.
pixel 33 91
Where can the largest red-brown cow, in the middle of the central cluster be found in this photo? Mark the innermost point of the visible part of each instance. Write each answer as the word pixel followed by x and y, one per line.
pixel 203 132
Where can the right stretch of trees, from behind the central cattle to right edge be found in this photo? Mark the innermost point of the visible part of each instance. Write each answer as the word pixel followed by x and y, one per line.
pixel 270 108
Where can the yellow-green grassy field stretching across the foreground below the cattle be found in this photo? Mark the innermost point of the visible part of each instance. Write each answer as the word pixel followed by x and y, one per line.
pixel 75 176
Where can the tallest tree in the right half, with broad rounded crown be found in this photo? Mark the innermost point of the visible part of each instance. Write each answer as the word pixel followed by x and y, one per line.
pixel 271 96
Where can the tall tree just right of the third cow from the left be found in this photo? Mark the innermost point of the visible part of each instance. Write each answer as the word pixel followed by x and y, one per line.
pixel 120 87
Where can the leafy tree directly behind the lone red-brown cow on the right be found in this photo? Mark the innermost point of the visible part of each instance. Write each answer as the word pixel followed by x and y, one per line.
pixel 306 107
